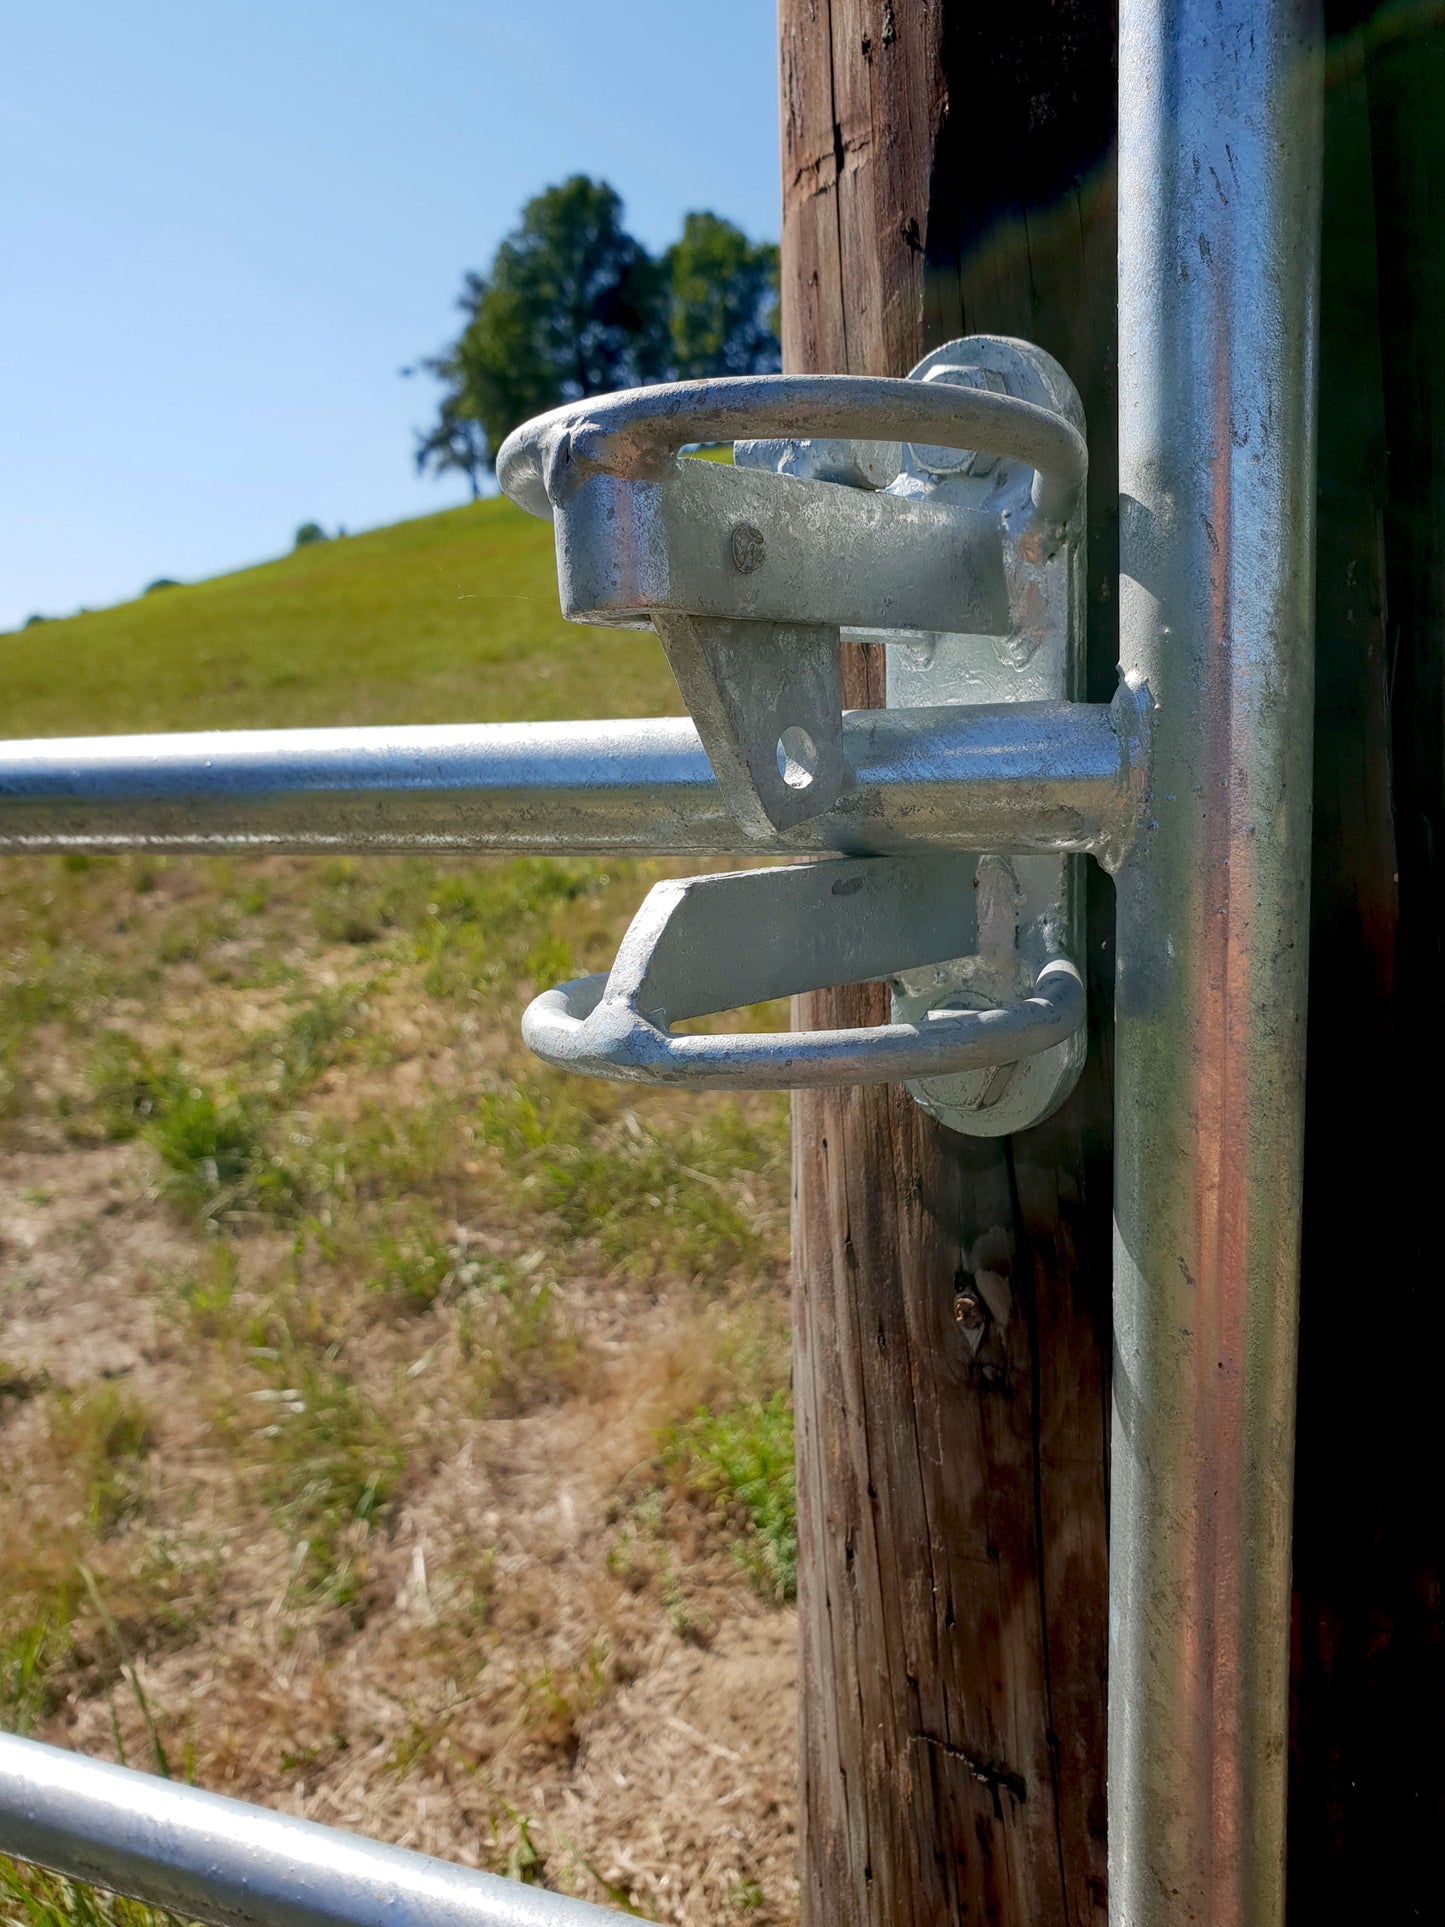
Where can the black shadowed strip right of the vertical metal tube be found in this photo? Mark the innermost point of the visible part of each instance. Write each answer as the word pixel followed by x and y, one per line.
pixel 1367 1797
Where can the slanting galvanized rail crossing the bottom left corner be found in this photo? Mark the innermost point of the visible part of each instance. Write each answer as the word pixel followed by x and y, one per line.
pixel 234 1864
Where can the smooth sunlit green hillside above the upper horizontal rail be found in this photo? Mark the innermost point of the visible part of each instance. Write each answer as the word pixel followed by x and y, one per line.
pixel 452 618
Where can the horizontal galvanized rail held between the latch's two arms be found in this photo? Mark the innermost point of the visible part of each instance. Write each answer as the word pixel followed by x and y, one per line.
pixel 1016 779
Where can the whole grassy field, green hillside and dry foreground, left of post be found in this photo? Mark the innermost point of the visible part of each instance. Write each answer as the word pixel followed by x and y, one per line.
pixel 392 1431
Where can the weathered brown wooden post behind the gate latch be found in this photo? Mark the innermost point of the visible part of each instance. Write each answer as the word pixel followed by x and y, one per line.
pixel 947 176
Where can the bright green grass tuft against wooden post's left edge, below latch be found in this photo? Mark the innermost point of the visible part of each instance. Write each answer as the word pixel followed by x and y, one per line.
pixel 743 1464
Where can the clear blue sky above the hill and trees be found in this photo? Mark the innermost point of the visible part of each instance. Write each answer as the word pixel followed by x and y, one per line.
pixel 228 224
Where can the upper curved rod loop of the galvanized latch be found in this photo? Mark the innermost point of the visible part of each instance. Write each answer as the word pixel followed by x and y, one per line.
pixel 641 431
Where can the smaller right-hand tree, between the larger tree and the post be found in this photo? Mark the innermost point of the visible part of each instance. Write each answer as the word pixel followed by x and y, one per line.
pixel 723 302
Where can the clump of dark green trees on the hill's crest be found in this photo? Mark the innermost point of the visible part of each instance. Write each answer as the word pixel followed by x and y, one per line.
pixel 573 305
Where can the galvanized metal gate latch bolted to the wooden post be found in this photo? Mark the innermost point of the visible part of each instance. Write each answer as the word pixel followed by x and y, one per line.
pixel 943 517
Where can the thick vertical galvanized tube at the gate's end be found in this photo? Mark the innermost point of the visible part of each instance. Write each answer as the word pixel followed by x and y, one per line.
pixel 1219 261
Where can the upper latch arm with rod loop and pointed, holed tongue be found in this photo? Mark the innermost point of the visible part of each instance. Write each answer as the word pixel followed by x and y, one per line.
pixel 643 533
